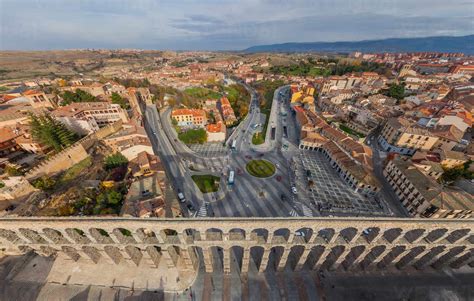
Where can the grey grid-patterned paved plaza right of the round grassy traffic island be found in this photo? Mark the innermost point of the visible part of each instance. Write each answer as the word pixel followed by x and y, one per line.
pixel 326 190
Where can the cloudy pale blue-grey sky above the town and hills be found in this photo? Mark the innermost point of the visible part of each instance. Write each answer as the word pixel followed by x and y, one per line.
pixel 222 24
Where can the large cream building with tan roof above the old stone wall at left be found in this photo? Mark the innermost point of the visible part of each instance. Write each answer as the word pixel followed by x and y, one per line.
pixel 87 117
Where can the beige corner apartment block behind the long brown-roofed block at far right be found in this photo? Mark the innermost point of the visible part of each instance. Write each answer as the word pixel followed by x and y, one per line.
pixel 401 136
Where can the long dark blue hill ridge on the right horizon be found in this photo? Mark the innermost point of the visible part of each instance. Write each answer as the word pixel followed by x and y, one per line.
pixel 463 44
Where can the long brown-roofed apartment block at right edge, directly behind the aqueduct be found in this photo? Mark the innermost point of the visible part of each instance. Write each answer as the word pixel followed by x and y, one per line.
pixel 422 196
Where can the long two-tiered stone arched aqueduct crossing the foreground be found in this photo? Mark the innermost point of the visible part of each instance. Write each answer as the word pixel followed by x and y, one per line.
pixel 311 243
